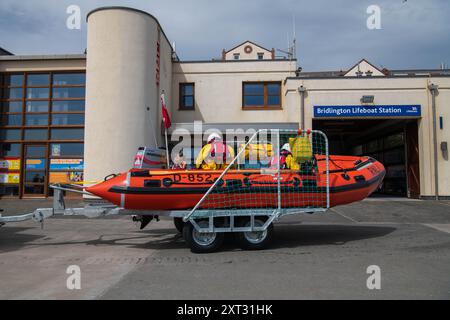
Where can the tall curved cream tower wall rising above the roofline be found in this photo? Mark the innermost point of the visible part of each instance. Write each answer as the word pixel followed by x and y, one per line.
pixel 120 86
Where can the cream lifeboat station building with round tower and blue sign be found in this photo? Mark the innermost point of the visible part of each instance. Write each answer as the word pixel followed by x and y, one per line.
pixel 68 118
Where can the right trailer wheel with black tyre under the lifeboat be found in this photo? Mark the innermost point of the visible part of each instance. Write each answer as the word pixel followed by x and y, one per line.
pixel 256 240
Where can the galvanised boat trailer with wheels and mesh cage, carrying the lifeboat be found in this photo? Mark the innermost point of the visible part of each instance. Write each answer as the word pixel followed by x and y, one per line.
pixel 203 228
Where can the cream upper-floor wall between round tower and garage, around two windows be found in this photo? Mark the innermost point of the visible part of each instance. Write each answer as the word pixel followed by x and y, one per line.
pixel 218 90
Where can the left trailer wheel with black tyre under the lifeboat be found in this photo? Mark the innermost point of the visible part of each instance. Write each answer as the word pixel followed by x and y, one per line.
pixel 202 242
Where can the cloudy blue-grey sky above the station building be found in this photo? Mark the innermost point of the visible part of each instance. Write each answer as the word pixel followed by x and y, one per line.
pixel 331 34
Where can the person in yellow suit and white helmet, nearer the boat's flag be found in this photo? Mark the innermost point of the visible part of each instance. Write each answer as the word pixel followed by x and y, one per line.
pixel 215 155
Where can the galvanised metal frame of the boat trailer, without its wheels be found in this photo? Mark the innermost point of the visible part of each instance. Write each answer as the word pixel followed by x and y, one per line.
pixel 218 220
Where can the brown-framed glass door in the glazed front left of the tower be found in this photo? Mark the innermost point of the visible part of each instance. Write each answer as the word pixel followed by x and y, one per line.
pixel 35 170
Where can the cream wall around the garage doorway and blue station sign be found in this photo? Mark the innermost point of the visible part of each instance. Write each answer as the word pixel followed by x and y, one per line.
pixel 344 91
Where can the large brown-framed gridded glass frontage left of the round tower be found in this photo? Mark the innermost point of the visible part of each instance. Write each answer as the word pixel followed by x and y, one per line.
pixel 46 108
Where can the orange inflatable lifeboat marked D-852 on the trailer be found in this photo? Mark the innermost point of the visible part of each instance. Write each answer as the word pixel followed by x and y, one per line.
pixel 350 179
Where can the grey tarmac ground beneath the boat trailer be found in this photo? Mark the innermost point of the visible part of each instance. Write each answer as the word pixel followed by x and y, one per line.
pixel 321 256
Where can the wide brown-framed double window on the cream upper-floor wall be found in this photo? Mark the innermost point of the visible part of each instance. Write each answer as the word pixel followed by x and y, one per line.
pixel 261 95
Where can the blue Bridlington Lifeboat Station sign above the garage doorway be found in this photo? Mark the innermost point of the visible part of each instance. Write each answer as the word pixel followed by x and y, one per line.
pixel 367 111
